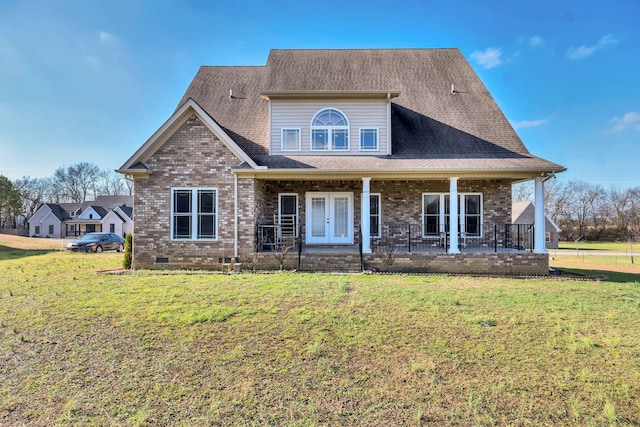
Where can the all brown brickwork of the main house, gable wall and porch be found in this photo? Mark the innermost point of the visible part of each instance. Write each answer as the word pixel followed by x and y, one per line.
pixel 194 157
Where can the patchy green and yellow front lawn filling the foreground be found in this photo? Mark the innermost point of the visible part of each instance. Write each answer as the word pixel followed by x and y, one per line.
pixel 80 348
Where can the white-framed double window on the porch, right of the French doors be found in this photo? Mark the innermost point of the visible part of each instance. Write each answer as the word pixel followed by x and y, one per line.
pixel 436 214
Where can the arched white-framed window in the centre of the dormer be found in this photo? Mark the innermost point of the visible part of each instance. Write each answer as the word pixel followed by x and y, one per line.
pixel 329 131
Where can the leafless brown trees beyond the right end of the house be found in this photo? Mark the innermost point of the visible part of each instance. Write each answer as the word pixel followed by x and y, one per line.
pixel 585 211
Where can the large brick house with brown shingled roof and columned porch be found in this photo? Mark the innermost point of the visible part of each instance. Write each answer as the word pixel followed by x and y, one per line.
pixel 355 154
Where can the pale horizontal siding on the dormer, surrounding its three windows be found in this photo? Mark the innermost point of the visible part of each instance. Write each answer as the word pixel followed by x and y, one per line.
pixel 298 114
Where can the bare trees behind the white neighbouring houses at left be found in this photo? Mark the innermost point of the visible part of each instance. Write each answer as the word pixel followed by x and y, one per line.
pixel 77 183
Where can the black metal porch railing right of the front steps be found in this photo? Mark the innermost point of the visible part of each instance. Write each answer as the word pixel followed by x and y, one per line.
pixel 482 238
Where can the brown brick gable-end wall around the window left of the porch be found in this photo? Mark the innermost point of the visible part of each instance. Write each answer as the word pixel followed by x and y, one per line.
pixel 191 157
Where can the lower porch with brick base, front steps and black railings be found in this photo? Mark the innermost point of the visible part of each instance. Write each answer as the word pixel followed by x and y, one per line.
pixel 499 249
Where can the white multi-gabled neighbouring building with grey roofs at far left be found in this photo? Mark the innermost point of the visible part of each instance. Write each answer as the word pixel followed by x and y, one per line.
pixel 105 213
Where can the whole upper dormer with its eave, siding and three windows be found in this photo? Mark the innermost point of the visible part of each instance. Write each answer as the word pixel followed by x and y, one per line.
pixel 330 123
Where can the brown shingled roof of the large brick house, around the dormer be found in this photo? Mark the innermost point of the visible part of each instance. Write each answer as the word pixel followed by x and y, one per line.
pixel 434 127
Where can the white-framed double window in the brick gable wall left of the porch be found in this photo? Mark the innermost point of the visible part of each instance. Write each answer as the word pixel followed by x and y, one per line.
pixel 194 214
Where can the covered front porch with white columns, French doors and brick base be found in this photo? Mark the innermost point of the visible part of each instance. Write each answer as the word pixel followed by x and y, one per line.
pixel 365 220
